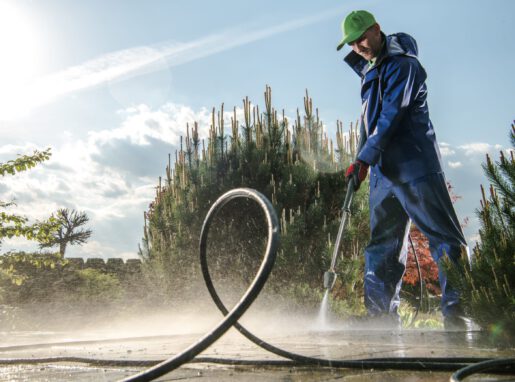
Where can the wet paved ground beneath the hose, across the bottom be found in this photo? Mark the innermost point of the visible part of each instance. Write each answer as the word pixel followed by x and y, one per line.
pixel 337 343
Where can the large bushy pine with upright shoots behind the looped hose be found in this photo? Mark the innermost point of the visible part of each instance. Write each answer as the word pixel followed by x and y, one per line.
pixel 296 167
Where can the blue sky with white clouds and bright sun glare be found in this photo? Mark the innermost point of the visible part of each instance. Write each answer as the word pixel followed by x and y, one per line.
pixel 109 86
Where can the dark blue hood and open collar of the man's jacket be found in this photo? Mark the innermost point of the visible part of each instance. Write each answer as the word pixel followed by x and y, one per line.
pixel 396 44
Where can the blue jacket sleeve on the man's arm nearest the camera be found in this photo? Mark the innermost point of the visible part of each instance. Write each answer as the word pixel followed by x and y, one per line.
pixel 397 94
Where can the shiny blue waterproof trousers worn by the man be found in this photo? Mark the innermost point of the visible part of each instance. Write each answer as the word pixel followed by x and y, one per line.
pixel 427 203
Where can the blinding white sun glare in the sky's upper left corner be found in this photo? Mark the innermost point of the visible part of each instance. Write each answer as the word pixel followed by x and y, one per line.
pixel 18 48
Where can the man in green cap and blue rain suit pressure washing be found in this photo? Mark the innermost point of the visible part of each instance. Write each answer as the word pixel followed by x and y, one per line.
pixel 407 182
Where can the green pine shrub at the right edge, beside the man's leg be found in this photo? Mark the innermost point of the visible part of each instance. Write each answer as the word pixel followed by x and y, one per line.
pixel 487 285
